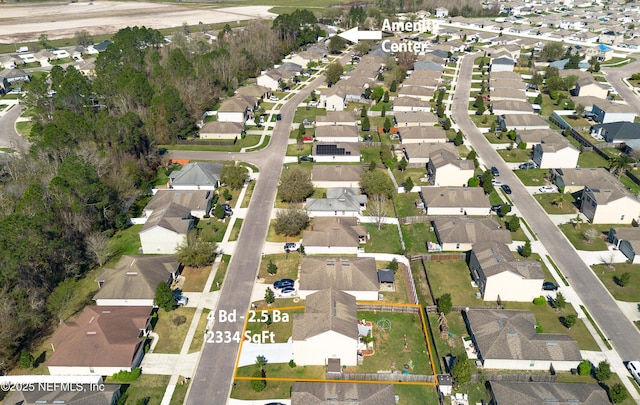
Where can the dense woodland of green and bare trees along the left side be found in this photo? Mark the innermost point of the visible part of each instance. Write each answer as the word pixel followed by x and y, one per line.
pixel 94 151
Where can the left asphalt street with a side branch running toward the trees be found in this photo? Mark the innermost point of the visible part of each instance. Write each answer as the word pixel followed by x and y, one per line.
pixel 212 381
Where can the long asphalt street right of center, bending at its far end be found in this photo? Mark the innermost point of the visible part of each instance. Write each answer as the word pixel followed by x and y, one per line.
pixel 623 335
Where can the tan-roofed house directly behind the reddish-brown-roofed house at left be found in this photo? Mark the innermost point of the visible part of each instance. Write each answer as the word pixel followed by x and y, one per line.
pixel 133 280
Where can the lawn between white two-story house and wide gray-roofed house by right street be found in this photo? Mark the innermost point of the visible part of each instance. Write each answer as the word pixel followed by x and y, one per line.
pixel 549 319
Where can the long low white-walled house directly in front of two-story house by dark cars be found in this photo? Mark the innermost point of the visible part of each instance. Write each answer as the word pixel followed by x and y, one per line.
pixel 455 201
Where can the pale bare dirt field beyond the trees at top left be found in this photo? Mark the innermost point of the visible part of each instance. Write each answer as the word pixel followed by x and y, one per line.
pixel 22 23
